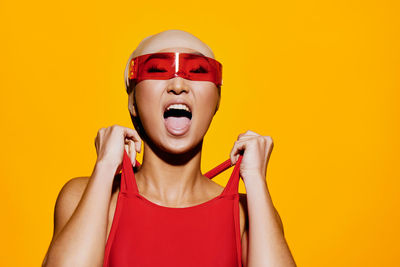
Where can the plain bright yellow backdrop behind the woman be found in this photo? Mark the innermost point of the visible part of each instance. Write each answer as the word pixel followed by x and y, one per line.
pixel 320 77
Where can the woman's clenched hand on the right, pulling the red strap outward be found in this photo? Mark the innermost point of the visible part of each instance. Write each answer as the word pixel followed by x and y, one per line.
pixel 257 150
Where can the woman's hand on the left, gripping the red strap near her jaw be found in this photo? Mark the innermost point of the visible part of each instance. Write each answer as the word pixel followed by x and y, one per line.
pixel 110 143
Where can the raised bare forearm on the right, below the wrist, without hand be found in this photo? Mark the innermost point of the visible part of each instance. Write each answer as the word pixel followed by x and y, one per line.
pixel 267 244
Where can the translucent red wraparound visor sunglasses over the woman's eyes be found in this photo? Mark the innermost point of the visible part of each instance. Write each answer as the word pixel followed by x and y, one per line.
pixel 164 66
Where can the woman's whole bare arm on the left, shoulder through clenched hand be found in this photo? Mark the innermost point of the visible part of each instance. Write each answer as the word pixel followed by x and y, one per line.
pixel 81 216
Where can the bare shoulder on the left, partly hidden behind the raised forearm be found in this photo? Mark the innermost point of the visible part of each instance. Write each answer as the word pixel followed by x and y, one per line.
pixel 67 201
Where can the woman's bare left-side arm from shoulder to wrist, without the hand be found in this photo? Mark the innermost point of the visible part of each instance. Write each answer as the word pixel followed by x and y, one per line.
pixel 80 220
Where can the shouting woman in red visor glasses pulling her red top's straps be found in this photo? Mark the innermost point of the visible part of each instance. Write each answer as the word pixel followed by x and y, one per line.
pixel 171 114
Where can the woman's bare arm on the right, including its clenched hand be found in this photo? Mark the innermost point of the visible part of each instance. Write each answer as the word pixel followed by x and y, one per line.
pixel 263 242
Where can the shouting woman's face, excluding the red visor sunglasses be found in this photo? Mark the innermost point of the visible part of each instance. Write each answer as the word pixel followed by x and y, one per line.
pixel 175 134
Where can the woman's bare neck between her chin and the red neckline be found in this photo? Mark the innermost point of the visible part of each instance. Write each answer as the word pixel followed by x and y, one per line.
pixel 169 178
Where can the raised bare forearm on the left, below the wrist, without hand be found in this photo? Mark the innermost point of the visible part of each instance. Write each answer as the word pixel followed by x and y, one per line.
pixel 82 240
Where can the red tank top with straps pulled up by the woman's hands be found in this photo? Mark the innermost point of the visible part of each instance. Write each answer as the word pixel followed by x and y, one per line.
pixel 146 234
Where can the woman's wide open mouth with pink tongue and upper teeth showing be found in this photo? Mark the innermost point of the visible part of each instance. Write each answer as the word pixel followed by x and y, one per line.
pixel 177 118
